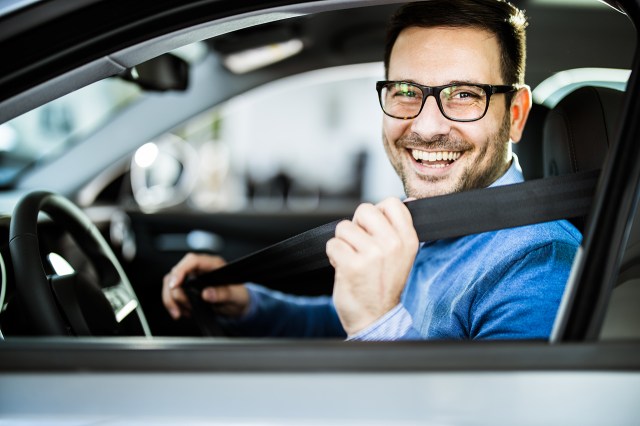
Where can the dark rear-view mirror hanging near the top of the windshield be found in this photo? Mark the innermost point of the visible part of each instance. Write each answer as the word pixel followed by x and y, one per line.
pixel 162 73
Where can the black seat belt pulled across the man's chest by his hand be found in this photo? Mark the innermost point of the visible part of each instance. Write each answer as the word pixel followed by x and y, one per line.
pixel 301 260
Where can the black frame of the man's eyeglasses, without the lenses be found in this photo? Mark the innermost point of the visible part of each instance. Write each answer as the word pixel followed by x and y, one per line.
pixel 489 89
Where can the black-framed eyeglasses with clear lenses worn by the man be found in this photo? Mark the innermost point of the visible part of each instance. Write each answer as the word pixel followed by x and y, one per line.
pixel 457 101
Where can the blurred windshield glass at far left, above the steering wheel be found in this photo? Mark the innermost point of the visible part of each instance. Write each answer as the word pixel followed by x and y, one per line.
pixel 49 130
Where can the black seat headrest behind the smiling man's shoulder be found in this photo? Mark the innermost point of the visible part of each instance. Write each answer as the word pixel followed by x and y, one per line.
pixel 579 130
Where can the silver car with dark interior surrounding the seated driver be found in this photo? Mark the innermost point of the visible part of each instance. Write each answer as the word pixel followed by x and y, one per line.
pixel 149 129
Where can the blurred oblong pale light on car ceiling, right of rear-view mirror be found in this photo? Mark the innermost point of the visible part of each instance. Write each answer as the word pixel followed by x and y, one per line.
pixel 259 57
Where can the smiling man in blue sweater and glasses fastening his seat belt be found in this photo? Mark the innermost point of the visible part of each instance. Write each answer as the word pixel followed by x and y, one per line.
pixel 454 101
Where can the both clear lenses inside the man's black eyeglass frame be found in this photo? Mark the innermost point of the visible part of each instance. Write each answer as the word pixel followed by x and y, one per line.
pixel 457 102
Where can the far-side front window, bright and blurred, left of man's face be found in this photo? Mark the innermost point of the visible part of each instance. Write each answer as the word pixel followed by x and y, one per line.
pixel 307 142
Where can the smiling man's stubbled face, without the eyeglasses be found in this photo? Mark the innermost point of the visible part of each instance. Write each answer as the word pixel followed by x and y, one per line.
pixel 476 153
